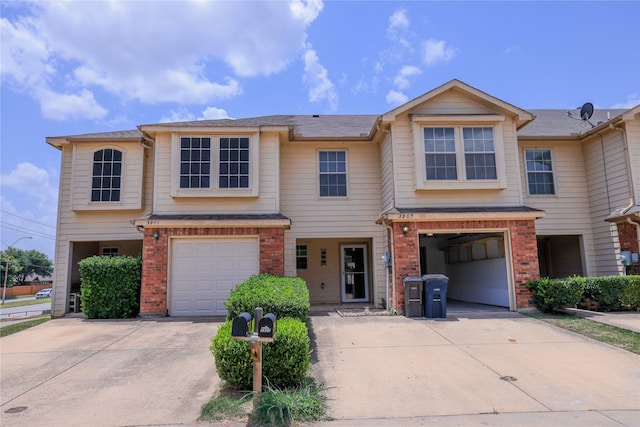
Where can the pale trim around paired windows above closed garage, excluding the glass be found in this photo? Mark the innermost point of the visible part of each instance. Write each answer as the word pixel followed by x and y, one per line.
pixel 214 191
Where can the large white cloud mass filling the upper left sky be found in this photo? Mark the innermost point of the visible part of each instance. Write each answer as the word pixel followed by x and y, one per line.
pixel 190 52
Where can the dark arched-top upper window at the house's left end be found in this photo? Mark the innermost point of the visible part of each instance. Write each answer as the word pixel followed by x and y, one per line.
pixel 107 175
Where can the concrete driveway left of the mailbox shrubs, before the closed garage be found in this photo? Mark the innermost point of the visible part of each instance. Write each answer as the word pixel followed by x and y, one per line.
pixel 76 372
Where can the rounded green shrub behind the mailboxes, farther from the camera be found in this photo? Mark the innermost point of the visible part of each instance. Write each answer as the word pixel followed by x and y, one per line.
pixel 282 296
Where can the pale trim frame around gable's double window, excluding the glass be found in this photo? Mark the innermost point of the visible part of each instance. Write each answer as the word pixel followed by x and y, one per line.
pixel 459 122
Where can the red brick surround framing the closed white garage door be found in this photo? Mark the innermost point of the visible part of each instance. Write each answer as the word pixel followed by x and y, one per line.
pixel 155 264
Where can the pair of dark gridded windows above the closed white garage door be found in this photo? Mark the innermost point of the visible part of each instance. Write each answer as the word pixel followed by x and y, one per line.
pixel 215 165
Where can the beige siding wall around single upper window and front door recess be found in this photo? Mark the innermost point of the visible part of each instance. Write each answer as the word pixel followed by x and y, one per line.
pixel 349 217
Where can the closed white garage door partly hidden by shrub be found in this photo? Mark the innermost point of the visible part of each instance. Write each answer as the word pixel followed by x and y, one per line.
pixel 204 271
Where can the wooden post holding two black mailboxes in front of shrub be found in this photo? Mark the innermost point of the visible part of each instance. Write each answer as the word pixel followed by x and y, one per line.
pixel 264 330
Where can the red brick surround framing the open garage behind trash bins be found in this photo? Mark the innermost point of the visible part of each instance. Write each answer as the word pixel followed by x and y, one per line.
pixel 524 254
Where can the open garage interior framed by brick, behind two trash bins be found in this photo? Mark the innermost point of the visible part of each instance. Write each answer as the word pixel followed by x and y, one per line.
pixel 474 262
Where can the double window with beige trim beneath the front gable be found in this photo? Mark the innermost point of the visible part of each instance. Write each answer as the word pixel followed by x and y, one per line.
pixel 458 152
